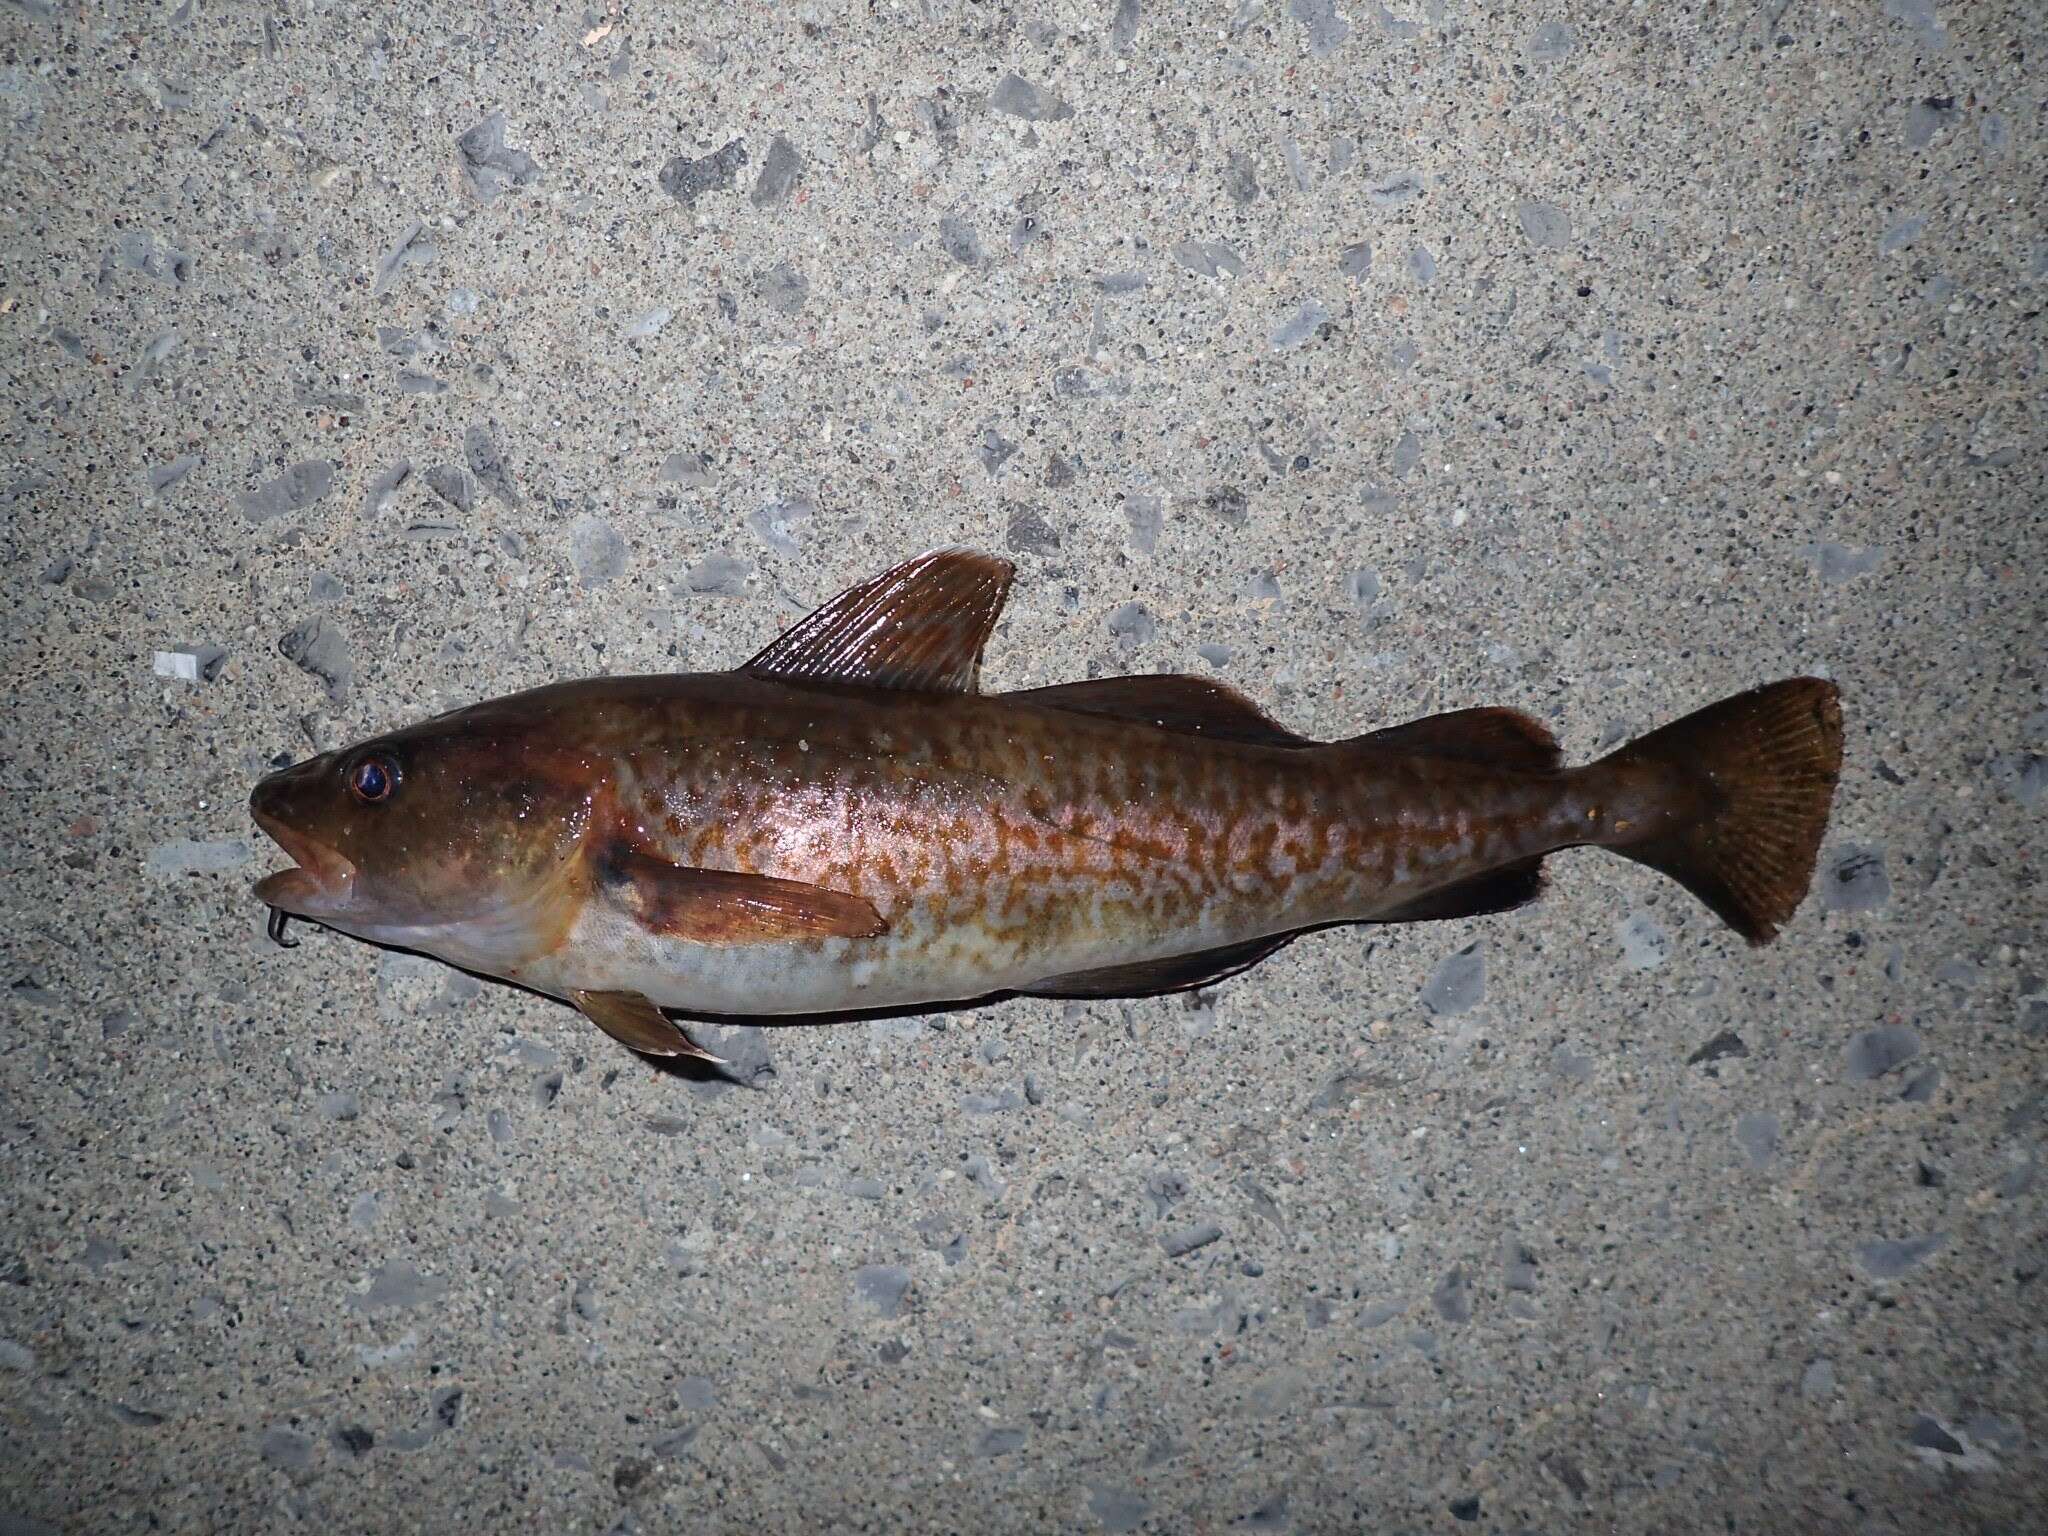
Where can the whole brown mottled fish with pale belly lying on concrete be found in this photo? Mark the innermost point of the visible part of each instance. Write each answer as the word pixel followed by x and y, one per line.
pixel 851 824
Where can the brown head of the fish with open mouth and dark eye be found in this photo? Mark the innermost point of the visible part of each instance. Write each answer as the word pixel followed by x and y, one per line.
pixel 468 826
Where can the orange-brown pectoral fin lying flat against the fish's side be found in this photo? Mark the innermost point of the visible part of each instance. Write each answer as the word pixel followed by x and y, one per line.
pixel 714 906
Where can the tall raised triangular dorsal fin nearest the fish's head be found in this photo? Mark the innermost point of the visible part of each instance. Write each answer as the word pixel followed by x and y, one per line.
pixel 916 628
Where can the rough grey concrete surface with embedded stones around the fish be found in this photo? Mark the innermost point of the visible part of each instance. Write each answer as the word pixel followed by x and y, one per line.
pixel 1377 359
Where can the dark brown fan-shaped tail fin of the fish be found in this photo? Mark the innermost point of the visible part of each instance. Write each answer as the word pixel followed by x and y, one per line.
pixel 1762 773
